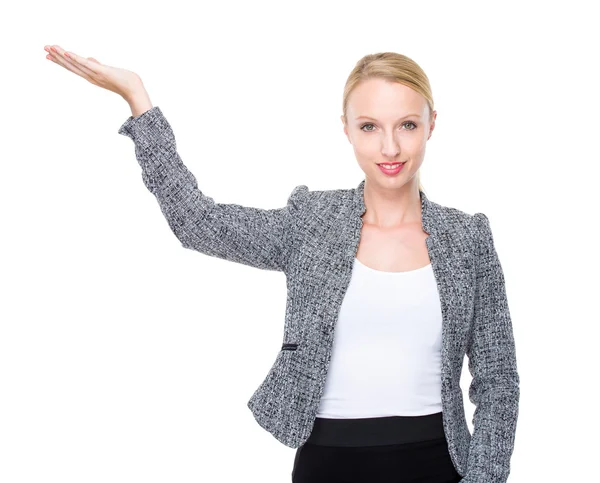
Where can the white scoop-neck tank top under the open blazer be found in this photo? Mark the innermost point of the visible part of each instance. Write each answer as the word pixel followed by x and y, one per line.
pixel 386 355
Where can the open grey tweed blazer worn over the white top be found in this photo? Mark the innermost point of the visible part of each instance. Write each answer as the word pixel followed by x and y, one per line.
pixel 313 240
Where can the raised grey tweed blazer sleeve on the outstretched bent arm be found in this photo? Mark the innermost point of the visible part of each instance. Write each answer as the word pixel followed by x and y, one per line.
pixel 251 236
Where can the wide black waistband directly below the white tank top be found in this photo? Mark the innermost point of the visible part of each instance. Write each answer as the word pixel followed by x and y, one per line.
pixel 377 431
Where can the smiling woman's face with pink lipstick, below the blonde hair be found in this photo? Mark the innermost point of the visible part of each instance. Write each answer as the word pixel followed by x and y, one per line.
pixel 388 123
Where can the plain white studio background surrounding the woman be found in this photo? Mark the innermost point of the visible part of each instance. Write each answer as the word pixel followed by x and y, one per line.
pixel 126 358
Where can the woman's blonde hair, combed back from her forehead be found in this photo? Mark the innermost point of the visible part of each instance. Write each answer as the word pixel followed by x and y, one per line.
pixel 395 68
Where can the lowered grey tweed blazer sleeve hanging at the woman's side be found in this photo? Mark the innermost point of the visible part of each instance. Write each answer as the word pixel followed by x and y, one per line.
pixel 494 388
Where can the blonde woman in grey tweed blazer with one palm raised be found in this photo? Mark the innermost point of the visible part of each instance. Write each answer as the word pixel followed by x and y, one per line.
pixel 410 287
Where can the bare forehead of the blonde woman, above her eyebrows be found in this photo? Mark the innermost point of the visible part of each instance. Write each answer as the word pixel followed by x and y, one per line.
pixel 379 97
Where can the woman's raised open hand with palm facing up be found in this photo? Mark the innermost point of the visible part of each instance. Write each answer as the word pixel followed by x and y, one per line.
pixel 121 81
